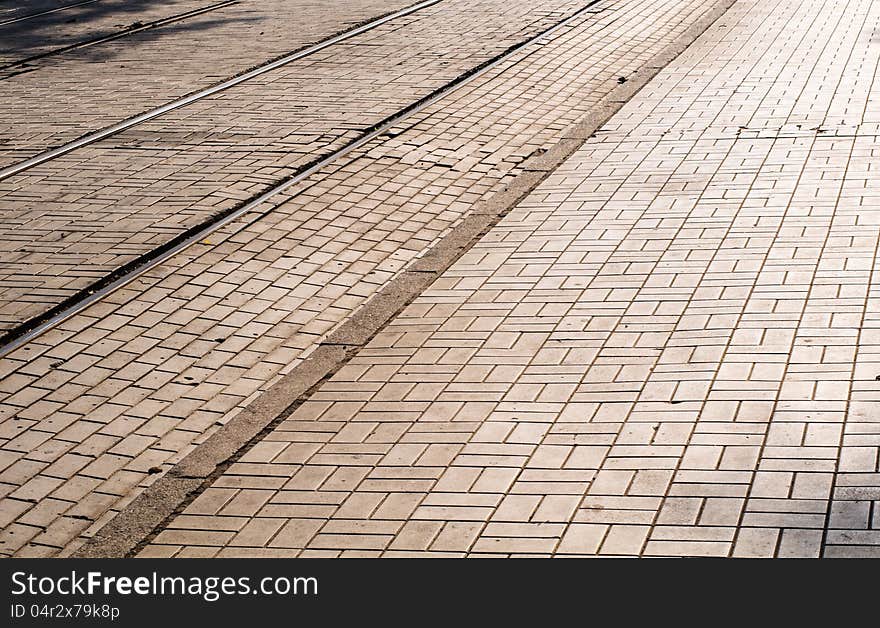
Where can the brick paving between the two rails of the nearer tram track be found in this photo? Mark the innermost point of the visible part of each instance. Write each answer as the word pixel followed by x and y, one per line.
pixel 76 219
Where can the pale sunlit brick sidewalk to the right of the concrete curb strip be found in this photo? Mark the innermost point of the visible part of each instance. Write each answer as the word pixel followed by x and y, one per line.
pixel 668 348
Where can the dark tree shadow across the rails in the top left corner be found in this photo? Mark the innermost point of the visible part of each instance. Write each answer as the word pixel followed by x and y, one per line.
pixel 84 21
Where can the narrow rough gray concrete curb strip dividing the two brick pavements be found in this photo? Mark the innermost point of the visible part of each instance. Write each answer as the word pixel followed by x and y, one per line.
pixel 136 524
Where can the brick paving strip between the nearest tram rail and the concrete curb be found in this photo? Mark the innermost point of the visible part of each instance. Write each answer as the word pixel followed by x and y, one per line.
pixel 96 409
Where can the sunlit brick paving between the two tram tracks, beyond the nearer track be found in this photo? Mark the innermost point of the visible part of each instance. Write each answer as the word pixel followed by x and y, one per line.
pixel 69 95
